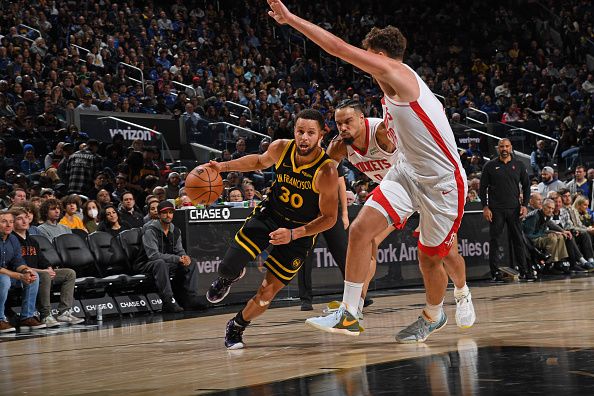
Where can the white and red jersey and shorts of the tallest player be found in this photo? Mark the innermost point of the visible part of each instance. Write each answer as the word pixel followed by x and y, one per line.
pixel 428 176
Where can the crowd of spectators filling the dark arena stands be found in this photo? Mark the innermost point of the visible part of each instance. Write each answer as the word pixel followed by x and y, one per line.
pixel 197 57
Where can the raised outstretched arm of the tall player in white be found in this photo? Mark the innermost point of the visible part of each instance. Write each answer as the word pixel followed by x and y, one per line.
pixel 379 66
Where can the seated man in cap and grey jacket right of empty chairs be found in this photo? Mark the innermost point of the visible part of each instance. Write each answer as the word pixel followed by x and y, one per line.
pixel 163 255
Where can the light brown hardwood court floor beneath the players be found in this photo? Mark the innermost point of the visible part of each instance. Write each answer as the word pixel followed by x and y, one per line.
pixel 187 356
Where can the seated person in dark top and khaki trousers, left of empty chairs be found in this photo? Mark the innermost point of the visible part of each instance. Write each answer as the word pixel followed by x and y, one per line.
pixel 48 275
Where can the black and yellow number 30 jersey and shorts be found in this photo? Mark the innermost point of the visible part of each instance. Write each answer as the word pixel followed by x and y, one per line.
pixel 293 201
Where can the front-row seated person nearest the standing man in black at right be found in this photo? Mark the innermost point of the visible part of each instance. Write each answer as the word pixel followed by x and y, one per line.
pixel 544 234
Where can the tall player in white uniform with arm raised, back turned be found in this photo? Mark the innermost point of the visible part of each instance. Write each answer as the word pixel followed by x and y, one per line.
pixel 428 177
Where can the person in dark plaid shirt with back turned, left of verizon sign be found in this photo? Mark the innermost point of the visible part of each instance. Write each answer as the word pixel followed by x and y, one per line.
pixel 81 168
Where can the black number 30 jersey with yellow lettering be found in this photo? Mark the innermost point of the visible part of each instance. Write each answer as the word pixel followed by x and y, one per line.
pixel 293 195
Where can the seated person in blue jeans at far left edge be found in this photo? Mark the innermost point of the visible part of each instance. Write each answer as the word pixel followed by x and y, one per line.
pixel 15 272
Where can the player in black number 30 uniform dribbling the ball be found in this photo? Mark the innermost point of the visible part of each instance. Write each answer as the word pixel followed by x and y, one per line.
pixel 302 202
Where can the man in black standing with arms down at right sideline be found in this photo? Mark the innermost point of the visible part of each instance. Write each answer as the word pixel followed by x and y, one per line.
pixel 500 197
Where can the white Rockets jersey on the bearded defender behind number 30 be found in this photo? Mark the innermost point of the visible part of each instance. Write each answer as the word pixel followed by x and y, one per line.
pixel 372 160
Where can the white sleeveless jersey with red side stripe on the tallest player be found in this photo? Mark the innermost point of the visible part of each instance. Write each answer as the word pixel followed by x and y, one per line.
pixel 423 135
